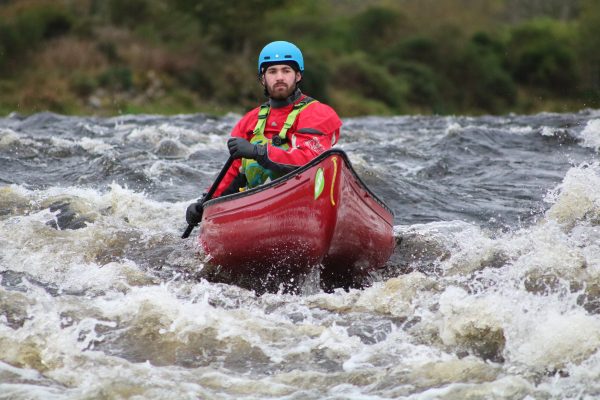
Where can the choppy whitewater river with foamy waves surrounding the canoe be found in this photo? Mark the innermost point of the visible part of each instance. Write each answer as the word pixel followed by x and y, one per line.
pixel 493 291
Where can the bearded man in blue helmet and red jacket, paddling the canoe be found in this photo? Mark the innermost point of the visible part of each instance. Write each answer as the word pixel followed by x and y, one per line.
pixel 288 131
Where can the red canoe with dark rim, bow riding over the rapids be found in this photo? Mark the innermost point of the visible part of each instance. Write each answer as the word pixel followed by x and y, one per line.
pixel 321 214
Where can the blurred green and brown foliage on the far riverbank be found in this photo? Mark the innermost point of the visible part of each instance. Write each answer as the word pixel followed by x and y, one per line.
pixel 383 57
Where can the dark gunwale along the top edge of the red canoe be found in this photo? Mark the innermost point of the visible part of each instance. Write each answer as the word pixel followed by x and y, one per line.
pixel 298 171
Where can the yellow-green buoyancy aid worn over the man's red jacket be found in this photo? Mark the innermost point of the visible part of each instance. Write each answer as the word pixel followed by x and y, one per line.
pixel 255 173
